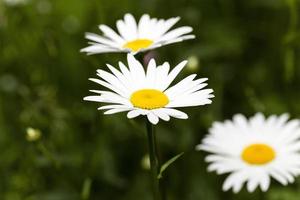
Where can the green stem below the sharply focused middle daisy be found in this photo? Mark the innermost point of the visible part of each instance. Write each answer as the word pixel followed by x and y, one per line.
pixel 154 163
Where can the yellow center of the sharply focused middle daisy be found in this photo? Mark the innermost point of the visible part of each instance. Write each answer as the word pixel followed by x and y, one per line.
pixel 149 99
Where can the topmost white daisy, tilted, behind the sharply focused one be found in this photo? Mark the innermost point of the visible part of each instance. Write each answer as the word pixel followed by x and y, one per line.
pixel 148 33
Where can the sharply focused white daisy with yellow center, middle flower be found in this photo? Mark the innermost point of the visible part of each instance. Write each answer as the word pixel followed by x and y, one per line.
pixel 147 92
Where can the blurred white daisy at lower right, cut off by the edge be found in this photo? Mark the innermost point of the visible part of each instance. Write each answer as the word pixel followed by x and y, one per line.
pixel 254 150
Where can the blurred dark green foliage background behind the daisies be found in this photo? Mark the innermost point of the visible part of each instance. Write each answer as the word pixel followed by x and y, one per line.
pixel 249 50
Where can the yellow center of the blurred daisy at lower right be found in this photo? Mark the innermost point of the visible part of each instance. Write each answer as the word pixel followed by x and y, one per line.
pixel 258 154
